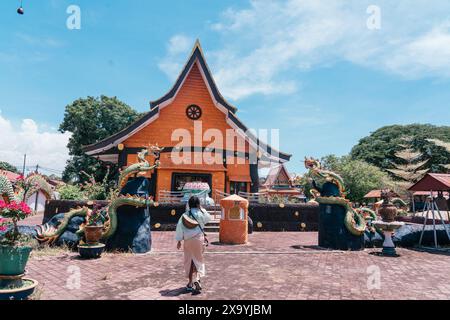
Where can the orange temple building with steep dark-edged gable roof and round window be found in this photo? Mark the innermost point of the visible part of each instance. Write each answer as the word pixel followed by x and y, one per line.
pixel 193 107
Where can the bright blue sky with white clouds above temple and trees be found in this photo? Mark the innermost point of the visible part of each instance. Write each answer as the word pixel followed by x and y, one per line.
pixel 312 69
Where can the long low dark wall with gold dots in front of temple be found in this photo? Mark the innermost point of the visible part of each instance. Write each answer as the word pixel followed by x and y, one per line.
pixel 265 217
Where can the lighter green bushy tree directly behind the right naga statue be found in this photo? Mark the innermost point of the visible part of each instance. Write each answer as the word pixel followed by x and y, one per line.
pixel 359 177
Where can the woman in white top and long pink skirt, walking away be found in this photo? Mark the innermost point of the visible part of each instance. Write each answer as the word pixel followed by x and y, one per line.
pixel 190 230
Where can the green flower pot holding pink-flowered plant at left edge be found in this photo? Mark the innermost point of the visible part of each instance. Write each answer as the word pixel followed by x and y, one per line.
pixel 13 260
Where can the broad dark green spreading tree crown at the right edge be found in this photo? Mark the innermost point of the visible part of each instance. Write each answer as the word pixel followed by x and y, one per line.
pixel 382 146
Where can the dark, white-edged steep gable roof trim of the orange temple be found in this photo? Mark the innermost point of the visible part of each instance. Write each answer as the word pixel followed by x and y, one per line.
pixel 109 144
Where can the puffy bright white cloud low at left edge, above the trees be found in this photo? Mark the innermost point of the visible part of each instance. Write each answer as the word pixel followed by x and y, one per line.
pixel 46 148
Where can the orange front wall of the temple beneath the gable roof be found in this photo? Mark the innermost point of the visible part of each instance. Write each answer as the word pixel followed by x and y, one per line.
pixel 173 116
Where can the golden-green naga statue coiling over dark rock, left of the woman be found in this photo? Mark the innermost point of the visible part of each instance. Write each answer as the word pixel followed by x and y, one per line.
pixel 49 233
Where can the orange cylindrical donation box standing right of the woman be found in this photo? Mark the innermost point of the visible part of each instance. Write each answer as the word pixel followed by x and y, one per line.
pixel 234 220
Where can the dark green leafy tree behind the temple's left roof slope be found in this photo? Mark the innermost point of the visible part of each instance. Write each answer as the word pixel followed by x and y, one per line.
pixel 90 120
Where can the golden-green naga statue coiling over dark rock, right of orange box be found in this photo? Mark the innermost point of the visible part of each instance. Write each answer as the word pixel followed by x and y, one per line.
pixel 355 219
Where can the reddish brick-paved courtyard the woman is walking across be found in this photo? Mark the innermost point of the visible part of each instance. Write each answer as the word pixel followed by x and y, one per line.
pixel 271 266
